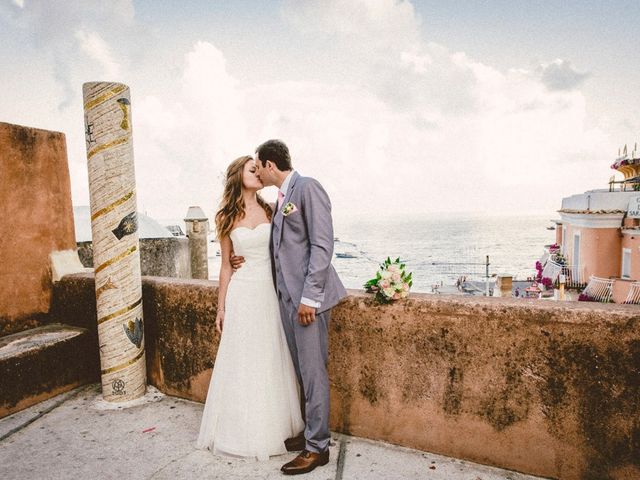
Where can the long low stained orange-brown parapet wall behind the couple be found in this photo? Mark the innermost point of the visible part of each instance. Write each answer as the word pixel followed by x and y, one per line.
pixel 540 387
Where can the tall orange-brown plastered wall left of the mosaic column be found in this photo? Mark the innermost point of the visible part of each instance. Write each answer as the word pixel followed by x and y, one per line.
pixel 36 218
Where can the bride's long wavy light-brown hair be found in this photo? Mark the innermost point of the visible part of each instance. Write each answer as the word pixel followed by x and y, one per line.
pixel 232 206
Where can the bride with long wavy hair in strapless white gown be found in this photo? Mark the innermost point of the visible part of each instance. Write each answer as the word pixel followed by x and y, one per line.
pixel 253 400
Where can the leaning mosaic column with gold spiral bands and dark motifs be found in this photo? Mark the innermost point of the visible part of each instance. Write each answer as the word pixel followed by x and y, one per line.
pixel 116 253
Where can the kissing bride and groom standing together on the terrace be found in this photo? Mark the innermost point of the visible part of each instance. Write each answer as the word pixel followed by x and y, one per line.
pixel 269 391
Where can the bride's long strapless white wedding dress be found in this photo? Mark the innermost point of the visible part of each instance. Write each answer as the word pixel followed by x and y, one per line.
pixel 253 400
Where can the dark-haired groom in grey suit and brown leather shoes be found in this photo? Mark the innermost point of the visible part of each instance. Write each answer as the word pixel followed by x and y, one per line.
pixel 308 287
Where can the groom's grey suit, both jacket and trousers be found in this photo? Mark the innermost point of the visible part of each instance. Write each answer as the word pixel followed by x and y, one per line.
pixel 301 253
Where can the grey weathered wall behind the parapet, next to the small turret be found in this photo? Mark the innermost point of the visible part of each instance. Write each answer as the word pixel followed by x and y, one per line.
pixel 159 257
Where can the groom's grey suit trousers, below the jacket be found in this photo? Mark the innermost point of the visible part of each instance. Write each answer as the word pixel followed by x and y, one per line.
pixel 309 352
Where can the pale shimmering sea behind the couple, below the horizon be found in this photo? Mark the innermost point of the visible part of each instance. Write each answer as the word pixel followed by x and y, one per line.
pixel 438 249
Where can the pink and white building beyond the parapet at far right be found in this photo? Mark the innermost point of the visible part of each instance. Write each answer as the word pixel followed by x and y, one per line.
pixel 598 234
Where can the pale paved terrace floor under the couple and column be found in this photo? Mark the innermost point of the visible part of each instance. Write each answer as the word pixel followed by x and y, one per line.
pixel 77 436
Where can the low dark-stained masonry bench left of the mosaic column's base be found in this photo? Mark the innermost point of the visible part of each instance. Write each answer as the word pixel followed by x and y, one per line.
pixel 42 362
